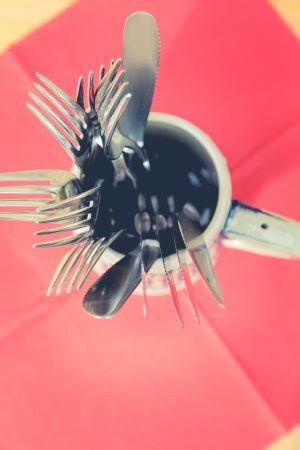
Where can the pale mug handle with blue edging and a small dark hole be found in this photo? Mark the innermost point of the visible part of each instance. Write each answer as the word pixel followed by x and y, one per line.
pixel 262 232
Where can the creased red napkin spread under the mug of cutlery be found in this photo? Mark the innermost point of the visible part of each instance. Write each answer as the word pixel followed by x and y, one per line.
pixel 70 381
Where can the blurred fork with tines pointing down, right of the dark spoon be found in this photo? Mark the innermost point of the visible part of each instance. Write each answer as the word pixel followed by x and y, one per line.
pixel 171 229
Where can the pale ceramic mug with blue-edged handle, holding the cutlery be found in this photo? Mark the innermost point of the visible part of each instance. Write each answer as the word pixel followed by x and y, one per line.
pixel 232 223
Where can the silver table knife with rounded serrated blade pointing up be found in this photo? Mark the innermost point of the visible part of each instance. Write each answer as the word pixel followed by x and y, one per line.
pixel 140 58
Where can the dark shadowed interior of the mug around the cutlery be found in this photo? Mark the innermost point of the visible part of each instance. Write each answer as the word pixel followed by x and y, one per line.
pixel 182 172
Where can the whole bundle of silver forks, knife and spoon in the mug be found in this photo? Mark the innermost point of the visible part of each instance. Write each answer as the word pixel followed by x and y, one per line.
pixel 105 140
